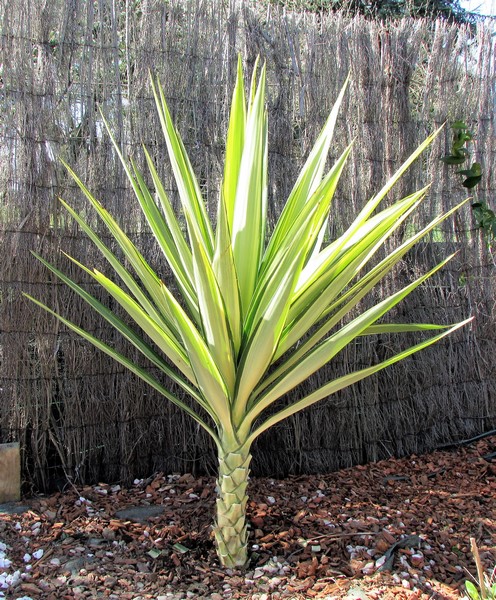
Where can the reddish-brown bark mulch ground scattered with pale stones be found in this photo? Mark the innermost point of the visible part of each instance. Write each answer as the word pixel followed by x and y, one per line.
pixel 399 528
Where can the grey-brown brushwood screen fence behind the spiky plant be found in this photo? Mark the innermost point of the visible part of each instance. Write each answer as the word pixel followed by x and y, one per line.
pixel 80 416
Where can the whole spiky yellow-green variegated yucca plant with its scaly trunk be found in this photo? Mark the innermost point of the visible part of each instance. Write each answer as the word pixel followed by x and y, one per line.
pixel 255 314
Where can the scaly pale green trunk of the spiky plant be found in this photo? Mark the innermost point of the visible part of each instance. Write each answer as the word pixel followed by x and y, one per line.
pixel 231 531
